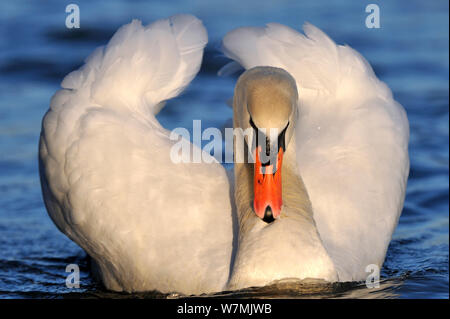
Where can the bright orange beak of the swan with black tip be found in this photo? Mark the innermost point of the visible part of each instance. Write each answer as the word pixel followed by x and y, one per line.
pixel 267 188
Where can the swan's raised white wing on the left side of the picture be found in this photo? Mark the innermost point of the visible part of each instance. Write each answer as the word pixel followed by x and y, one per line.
pixel 108 175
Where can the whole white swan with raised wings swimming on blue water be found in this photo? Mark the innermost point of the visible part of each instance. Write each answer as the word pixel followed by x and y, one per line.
pixel 148 223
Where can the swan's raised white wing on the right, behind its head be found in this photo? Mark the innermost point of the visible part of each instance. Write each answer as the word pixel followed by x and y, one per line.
pixel 352 139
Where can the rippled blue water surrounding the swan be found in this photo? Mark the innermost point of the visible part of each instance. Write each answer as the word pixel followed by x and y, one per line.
pixel 409 53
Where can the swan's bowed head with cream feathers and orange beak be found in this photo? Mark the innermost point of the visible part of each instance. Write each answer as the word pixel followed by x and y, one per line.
pixel 267 100
